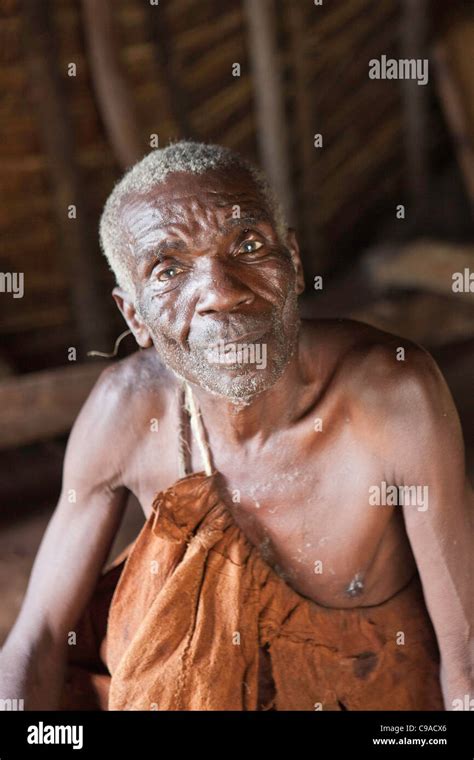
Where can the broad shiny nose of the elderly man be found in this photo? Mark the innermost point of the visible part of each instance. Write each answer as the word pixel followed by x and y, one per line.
pixel 220 290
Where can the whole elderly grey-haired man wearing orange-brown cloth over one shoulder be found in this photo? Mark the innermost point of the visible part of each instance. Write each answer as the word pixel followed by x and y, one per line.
pixel 307 545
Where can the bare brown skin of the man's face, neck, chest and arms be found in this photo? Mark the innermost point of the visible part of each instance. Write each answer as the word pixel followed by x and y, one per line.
pixel 301 440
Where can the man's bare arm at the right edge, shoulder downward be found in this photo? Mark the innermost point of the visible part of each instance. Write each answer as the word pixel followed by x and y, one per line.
pixel 440 526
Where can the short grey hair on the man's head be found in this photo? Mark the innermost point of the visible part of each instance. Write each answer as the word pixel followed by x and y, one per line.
pixel 152 170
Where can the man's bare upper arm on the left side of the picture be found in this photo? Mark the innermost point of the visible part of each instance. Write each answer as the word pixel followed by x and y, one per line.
pixel 84 523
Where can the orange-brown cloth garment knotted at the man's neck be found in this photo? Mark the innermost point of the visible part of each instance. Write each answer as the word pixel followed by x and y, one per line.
pixel 190 617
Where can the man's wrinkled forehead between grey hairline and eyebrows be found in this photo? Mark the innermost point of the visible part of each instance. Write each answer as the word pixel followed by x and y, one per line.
pixel 193 204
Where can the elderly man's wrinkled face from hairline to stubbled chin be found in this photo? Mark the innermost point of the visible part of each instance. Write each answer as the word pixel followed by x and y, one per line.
pixel 215 287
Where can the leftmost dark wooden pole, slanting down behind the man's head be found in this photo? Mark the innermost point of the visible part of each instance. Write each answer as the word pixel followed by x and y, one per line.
pixel 78 242
